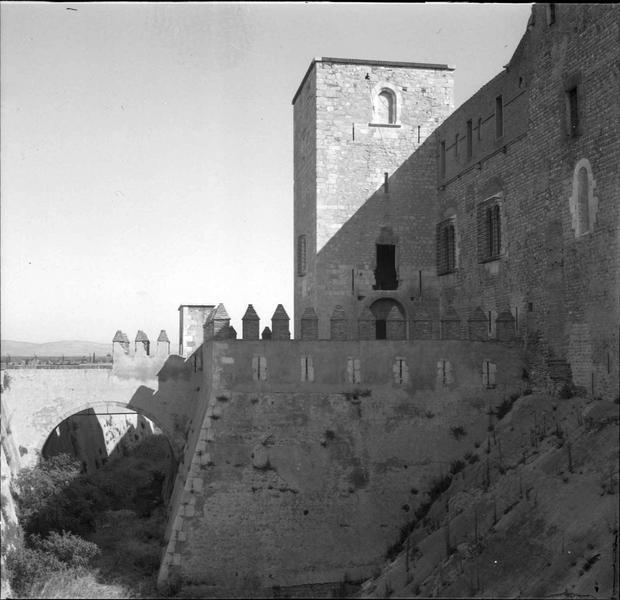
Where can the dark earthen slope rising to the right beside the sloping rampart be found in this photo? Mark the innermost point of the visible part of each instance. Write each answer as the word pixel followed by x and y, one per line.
pixel 533 513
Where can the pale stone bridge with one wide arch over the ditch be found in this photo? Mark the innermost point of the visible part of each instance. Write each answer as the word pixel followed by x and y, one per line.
pixel 36 400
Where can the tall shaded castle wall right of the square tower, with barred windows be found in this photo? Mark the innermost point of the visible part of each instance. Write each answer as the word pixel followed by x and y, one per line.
pixel 561 287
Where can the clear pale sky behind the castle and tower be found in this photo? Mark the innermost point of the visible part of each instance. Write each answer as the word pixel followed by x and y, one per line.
pixel 146 149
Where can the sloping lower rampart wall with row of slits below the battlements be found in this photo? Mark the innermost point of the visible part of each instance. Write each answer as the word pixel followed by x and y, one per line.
pixel 297 482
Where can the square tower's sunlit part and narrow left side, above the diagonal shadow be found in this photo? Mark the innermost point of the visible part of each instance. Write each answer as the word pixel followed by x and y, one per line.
pixel 355 123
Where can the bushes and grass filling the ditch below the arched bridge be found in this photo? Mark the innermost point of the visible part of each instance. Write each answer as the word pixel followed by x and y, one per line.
pixel 91 536
